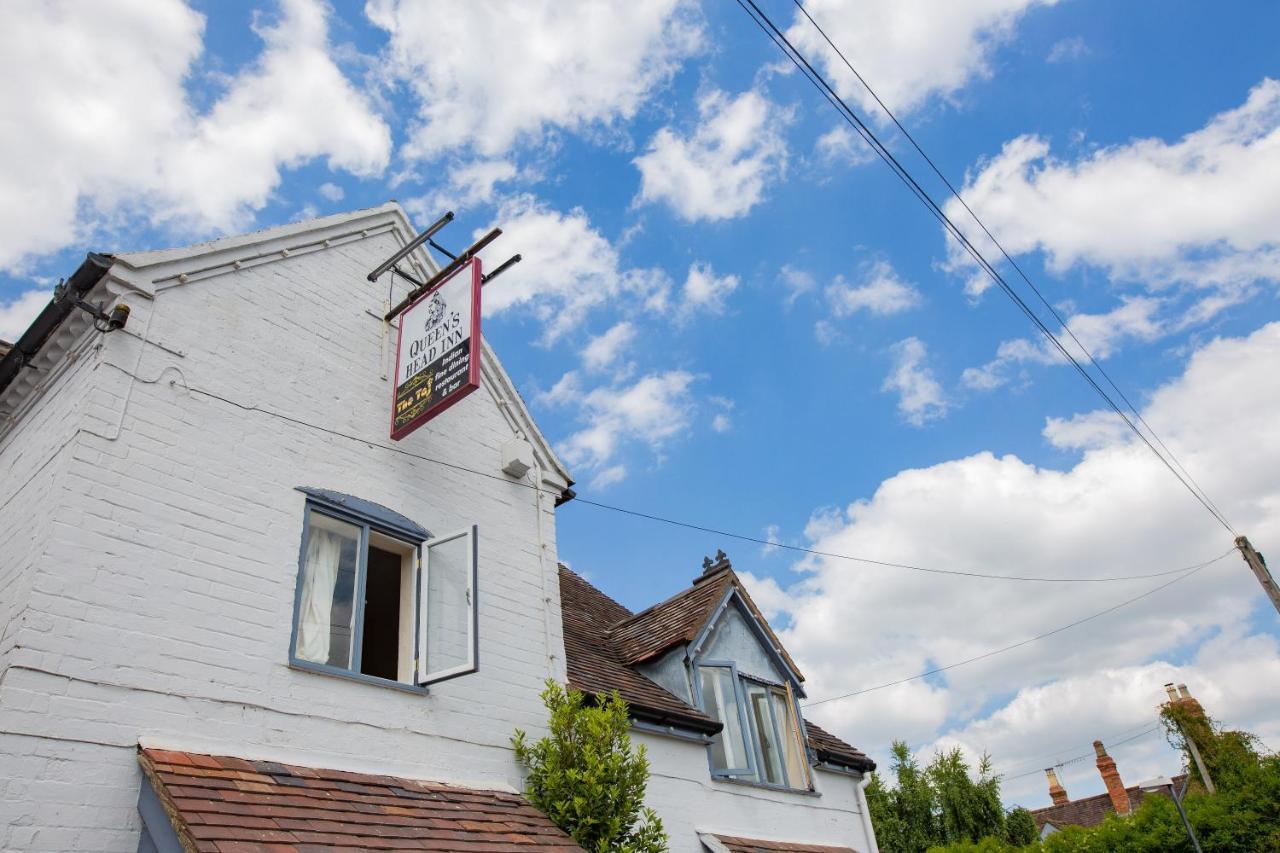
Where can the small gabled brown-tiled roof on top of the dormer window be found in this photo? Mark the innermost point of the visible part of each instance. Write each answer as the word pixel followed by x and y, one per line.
pixel 683 617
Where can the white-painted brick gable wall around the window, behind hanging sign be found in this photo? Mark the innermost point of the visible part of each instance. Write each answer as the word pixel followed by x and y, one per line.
pixel 158 577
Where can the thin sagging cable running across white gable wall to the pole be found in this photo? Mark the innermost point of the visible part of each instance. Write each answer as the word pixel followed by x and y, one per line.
pixel 688 526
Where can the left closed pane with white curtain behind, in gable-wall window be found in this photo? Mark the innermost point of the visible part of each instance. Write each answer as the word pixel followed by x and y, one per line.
pixel 326 612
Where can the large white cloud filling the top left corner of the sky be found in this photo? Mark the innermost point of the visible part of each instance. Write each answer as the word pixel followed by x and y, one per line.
pixel 139 147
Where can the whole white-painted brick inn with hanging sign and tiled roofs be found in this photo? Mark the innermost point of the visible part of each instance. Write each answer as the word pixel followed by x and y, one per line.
pixel 239 615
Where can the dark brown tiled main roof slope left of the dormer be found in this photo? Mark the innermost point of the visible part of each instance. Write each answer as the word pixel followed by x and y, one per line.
pixel 596 668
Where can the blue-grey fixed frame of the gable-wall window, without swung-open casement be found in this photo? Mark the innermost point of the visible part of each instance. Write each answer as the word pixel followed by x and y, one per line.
pixel 344 514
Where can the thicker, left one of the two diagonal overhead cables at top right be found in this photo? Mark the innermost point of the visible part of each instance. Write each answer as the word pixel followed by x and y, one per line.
pixel 932 207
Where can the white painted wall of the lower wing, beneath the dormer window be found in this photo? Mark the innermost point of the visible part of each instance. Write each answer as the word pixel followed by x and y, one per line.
pixel 689 802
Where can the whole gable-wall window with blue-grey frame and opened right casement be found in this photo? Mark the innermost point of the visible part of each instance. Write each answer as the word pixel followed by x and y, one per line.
pixel 367 609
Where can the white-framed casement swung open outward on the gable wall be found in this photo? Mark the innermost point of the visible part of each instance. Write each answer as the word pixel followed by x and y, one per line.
pixel 447 638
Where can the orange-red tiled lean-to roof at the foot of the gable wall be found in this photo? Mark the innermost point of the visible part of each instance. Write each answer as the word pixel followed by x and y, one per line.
pixel 221 805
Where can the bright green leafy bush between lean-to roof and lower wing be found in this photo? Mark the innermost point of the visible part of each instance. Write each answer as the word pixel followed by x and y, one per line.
pixel 587 778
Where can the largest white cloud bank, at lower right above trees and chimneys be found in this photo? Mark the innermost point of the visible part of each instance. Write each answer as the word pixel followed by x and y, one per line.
pixel 1117 512
